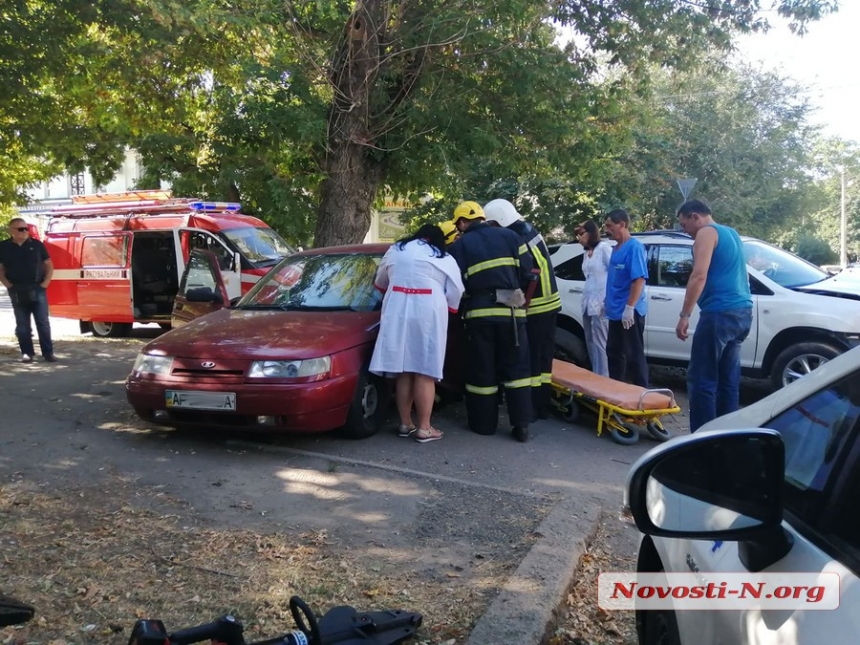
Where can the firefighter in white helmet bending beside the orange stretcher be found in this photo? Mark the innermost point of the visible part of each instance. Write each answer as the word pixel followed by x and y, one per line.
pixel 544 305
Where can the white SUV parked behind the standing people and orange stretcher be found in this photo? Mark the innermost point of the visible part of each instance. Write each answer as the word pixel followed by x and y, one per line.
pixel 802 316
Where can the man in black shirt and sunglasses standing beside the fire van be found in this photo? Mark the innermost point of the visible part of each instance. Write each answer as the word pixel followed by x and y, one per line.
pixel 25 271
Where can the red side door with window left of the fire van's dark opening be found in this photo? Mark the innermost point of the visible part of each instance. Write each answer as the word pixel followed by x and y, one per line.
pixel 104 286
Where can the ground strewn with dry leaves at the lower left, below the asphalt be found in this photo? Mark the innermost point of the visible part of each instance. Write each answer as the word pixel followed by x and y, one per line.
pixel 93 561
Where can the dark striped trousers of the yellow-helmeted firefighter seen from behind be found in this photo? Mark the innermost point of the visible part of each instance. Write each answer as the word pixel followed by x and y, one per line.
pixel 494 359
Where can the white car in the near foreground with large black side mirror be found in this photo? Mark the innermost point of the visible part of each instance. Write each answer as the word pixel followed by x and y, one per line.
pixel 787 497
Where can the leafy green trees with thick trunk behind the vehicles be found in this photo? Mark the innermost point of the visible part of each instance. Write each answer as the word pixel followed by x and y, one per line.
pixel 270 103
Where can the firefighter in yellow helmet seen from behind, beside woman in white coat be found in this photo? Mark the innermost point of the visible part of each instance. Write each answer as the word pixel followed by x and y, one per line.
pixel 496 268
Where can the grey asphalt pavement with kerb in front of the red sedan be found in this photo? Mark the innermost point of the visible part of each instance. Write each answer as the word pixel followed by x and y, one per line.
pixel 68 424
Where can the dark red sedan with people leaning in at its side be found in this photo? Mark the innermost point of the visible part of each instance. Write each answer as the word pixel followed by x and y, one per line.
pixel 290 356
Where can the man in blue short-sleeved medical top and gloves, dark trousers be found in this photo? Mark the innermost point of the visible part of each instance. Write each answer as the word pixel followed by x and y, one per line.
pixel 625 303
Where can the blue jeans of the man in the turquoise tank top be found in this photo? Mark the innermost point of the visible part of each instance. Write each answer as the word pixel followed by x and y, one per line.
pixel 714 374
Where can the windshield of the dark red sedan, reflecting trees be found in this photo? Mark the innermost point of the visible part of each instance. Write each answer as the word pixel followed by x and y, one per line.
pixel 324 282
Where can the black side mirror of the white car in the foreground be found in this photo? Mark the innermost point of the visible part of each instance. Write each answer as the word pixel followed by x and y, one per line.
pixel 717 485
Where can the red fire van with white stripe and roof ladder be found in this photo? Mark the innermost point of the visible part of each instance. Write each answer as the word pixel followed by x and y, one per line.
pixel 118 257
